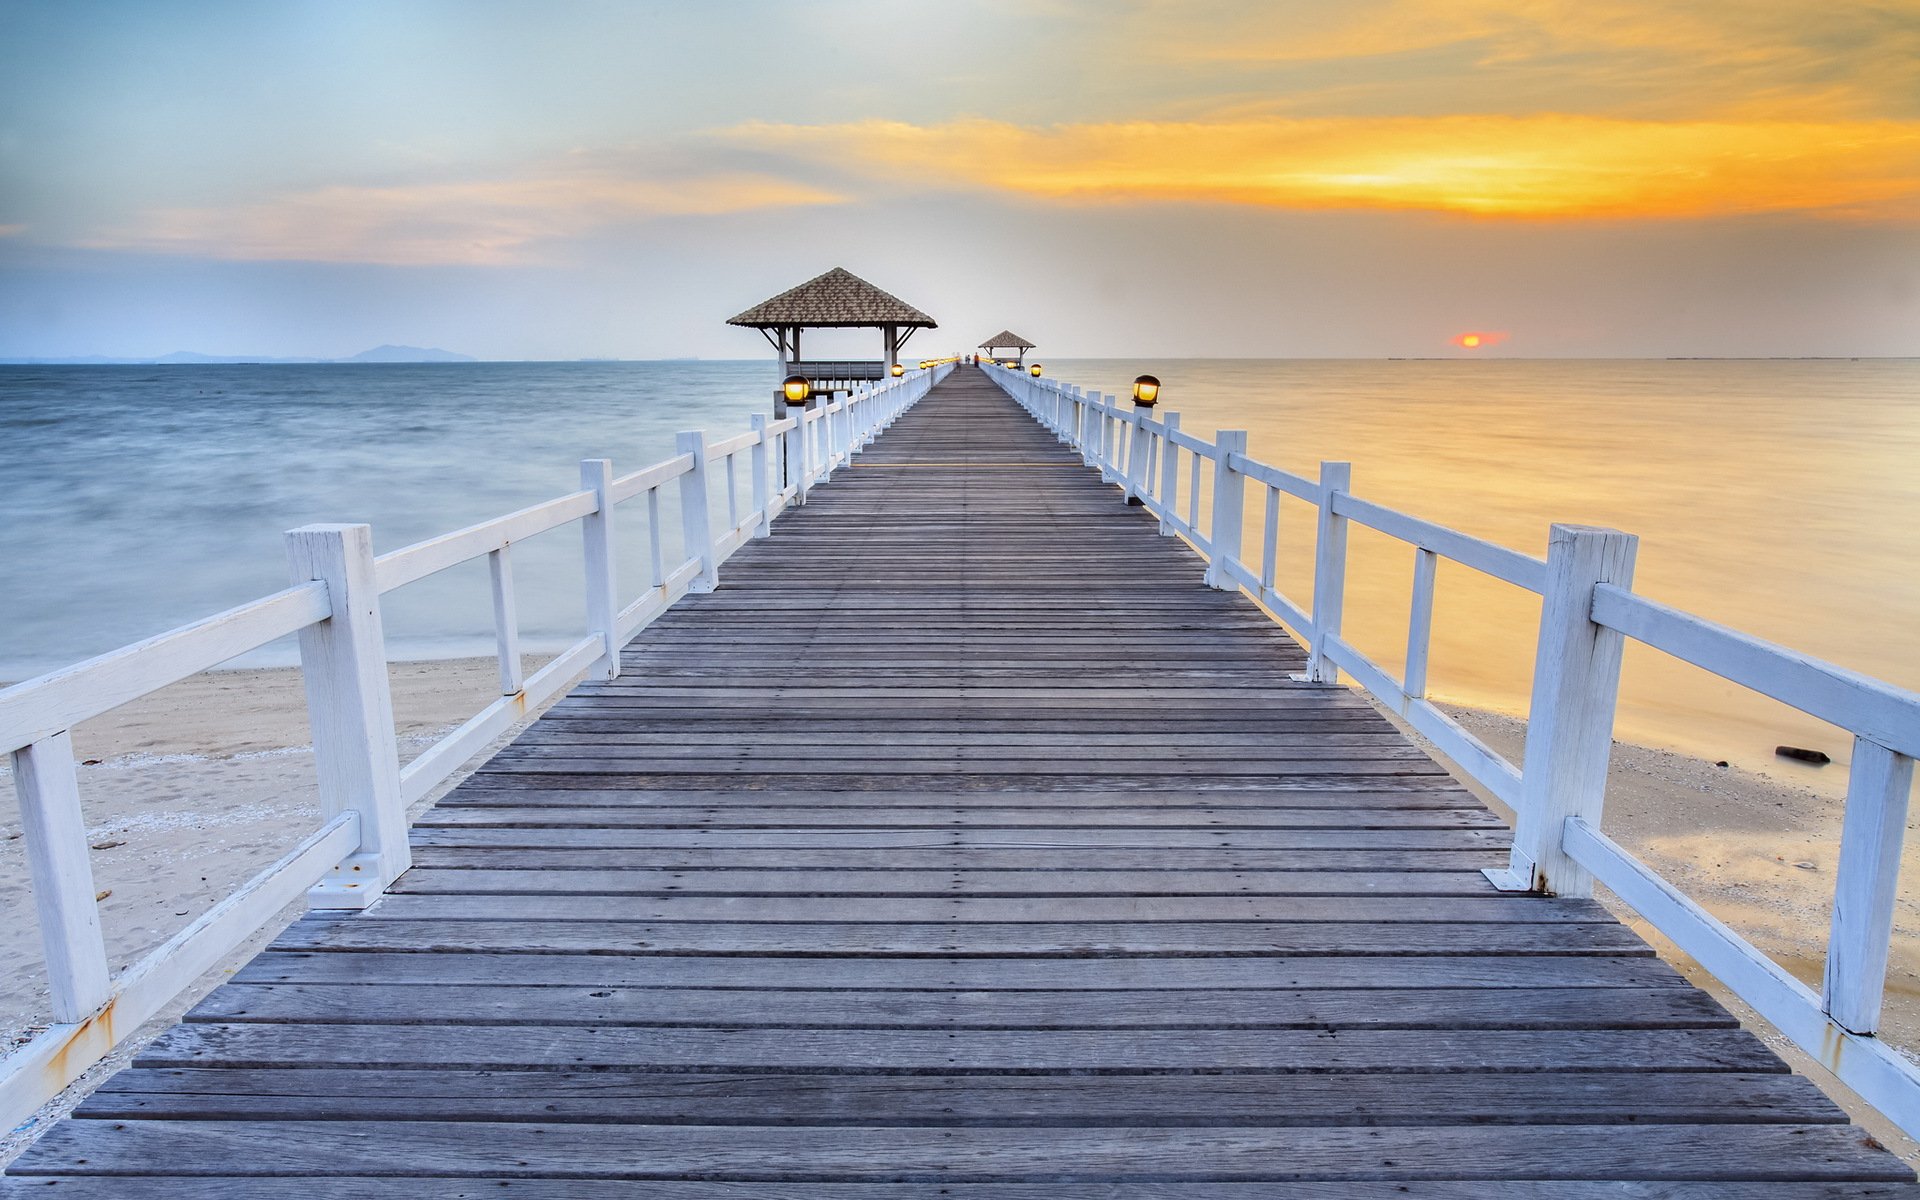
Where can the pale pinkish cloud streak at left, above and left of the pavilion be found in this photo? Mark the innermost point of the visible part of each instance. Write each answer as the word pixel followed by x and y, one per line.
pixel 446 224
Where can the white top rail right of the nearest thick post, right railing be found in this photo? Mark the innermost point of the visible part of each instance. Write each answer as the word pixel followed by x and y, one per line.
pixel 1858 704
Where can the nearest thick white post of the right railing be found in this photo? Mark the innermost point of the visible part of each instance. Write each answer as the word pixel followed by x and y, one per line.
pixel 1570 723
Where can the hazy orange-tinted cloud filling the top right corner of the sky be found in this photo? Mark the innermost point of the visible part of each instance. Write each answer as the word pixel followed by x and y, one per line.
pixel 1706 59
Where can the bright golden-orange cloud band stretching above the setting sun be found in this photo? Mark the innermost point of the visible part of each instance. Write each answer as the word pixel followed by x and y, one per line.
pixel 1547 166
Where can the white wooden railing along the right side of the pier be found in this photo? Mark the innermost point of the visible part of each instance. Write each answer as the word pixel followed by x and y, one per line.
pixel 1589 612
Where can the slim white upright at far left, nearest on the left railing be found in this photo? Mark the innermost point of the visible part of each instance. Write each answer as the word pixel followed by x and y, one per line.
pixel 62 876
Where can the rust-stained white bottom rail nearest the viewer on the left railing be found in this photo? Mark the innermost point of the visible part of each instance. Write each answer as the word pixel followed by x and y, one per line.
pixel 37 1072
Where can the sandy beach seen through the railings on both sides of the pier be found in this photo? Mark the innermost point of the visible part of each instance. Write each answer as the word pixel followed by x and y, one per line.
pixel 193 790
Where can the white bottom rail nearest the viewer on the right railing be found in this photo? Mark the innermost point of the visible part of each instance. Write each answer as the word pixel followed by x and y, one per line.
pixel 1869 1067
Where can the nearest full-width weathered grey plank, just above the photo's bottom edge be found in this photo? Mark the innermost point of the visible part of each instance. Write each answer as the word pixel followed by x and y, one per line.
pixel 517 1151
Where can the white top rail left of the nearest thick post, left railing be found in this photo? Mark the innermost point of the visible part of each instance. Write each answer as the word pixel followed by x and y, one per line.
pixel 62 700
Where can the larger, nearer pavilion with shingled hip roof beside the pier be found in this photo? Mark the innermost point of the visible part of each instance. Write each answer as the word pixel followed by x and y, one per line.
pixel 834 300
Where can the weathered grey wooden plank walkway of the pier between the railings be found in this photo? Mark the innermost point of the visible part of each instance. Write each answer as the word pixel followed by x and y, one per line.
pixel 961 844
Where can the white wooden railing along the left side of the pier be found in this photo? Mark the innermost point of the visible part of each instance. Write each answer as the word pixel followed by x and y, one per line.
pixel 335 608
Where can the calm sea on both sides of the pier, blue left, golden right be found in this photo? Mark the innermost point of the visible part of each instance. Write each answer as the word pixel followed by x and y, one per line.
pixel 1775 496
